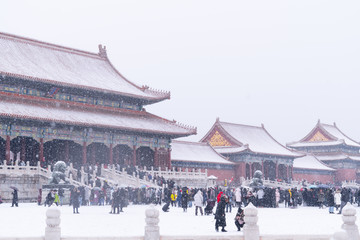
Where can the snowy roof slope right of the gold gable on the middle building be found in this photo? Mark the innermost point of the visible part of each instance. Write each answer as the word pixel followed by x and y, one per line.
pixel 256 139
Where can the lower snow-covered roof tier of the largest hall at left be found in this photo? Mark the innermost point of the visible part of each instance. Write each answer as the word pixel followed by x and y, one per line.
pixel 53 111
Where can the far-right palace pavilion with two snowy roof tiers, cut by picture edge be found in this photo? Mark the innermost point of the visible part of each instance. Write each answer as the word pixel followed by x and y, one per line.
pixel 332 147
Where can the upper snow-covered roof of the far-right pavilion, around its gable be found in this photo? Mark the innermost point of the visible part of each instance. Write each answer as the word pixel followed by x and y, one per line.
pixel 336 137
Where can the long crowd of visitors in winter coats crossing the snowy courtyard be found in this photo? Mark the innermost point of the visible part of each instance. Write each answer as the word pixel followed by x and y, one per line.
pixel 224 199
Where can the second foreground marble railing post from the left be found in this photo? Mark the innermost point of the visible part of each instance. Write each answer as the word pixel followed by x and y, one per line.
pixel 152 229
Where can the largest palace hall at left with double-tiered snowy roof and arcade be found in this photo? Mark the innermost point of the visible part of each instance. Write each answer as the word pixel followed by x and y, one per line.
pixel 60 103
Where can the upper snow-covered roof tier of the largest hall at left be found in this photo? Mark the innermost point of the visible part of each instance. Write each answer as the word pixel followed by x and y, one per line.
pixel 39 61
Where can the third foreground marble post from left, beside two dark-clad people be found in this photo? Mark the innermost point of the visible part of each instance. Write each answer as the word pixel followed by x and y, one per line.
pixel 251 229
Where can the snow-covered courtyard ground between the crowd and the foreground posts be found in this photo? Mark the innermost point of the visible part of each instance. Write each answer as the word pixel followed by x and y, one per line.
pixel 28 220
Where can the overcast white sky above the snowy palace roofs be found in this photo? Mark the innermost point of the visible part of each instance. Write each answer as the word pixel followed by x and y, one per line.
pixel 282 63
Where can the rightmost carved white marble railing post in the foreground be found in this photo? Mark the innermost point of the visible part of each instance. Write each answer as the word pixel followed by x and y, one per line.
pixel 349 218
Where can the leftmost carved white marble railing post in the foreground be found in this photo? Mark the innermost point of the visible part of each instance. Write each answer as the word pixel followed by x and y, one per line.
pixel 52 230
